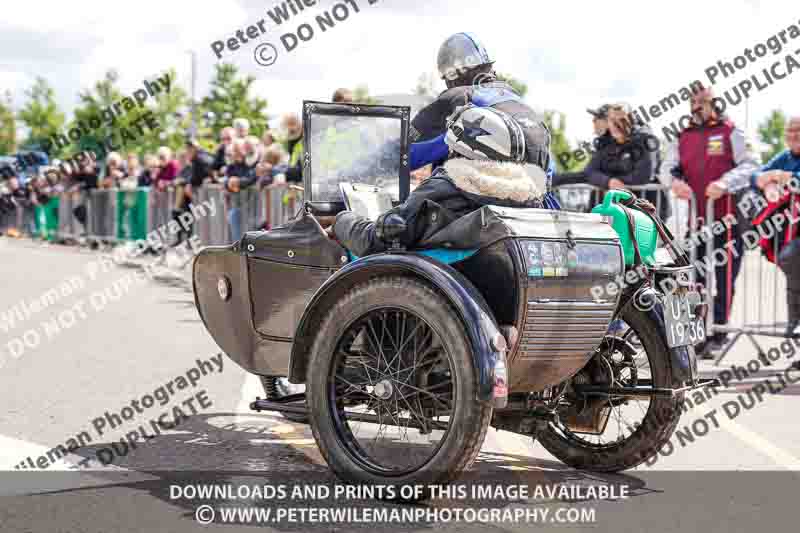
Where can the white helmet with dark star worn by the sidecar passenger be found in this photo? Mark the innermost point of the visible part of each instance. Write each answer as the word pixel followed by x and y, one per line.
pixel 486 133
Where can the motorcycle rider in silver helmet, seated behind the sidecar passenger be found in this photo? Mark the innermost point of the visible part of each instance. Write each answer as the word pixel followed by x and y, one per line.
pixel 468 72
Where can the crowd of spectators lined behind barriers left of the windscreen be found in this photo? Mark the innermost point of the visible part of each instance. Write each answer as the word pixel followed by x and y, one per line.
pixel 239 162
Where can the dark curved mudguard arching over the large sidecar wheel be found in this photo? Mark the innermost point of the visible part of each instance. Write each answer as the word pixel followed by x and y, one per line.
pixel 476 317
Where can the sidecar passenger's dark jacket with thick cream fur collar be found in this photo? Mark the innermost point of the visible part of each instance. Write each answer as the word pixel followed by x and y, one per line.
pixel 458 188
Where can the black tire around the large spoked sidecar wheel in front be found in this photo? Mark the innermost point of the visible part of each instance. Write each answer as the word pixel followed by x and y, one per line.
pixel 468 418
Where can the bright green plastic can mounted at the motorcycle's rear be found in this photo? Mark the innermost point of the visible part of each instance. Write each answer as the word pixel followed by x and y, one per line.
pixel 645 228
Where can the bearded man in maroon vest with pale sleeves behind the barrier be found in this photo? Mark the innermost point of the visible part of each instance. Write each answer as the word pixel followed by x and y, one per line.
pixel 712 159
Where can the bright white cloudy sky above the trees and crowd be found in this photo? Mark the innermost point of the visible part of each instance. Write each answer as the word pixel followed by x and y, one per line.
pixel 571 54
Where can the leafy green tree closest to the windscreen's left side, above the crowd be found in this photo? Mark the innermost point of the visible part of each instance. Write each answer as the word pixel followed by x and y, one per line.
pixel 230 98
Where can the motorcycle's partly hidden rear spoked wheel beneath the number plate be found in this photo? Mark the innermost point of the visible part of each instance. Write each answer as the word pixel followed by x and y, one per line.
pixel 636 440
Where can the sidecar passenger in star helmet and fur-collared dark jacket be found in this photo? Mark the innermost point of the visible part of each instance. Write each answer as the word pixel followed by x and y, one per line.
pixel 488 164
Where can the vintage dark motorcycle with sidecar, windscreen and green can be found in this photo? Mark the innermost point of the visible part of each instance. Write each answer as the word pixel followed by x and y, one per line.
pixel 408 356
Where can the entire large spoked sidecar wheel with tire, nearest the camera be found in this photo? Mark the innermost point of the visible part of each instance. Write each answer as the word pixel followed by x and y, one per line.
pixel 392 388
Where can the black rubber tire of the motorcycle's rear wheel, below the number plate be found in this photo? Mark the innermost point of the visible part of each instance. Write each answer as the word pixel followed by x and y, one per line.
pixel 652 433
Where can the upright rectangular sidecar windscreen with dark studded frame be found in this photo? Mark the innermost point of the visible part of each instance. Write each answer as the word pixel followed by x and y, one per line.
pixel 356 144
